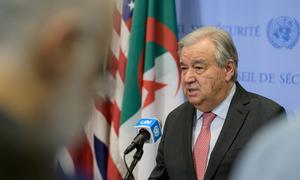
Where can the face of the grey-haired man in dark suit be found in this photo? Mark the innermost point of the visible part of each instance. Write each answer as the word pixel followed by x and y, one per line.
pixel 203 81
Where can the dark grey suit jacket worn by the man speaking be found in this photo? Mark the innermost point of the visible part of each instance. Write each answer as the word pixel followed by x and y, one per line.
pixel 246 114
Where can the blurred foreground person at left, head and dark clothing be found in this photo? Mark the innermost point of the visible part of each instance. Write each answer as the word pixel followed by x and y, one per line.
pixel 52 59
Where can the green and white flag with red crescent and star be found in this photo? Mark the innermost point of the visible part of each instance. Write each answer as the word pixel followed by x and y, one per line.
pixel 152 83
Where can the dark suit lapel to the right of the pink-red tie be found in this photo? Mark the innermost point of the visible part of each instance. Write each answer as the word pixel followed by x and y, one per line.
pixel 236 116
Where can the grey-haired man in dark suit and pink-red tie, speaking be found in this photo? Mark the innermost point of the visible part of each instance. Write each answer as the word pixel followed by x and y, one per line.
pixel 203 137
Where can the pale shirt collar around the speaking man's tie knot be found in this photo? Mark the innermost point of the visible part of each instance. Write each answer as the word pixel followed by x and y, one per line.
pixel 222 109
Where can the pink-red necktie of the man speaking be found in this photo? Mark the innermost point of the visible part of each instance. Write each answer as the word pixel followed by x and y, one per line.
pixel 201 147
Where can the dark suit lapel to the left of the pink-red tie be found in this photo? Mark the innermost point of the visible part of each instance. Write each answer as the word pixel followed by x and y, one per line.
pixel 188 118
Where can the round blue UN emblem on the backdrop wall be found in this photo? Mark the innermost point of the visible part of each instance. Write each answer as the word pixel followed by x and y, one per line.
pixel 283 32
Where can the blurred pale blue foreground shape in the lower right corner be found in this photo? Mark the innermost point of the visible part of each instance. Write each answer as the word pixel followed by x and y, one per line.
pixel 272 154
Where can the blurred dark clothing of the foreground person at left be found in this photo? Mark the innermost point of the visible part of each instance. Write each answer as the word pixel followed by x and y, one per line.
pixel 20 156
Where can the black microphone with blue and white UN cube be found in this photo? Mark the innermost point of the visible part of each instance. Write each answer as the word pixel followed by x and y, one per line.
pixel 149 131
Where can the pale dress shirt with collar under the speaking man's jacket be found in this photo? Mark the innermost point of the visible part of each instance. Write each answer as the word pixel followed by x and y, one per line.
pixel 216 126
